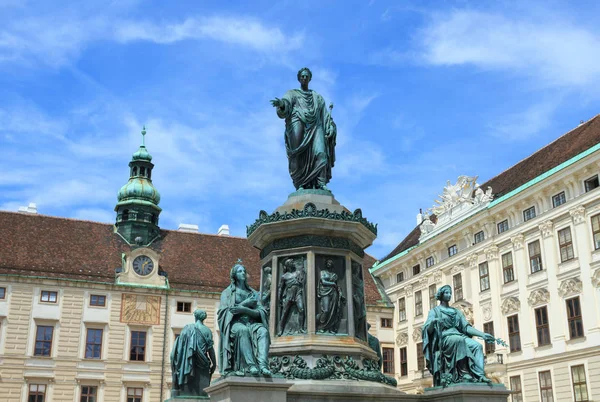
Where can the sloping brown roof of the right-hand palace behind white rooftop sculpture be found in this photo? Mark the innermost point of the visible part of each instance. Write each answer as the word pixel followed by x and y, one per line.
pixel 569 145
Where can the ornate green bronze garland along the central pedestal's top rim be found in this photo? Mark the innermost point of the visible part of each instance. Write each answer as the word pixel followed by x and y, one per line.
pixel 310 211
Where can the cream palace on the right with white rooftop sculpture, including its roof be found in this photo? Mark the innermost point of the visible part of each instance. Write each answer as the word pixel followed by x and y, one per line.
pixel 522 253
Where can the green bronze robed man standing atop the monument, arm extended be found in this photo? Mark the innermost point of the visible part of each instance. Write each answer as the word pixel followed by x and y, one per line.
pixel 310 134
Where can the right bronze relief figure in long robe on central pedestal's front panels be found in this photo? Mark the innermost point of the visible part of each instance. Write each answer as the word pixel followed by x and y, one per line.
pixel 331 300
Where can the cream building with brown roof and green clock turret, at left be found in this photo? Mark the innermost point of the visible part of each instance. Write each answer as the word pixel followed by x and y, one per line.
pixel 90 311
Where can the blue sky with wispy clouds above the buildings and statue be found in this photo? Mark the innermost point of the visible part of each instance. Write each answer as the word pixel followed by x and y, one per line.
pixel 423 92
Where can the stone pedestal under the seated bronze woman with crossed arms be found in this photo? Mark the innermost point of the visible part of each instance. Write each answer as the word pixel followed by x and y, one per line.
pixel 241 389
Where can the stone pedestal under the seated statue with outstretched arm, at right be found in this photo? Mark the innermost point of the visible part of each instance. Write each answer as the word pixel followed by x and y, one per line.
pixel 467 393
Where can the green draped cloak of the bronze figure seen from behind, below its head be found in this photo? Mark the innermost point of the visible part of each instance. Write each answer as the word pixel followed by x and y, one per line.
pixel 189 353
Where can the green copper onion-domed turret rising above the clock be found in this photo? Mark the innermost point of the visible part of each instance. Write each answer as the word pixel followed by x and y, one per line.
pixel 137 207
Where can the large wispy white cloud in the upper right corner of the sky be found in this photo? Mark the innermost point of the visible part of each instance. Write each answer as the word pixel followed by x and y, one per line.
pixel 553 50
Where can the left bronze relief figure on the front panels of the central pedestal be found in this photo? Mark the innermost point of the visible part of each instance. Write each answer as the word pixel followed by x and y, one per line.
pixel 291 295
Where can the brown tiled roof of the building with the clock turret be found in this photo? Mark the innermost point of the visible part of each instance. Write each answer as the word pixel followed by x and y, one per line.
pixel 62 248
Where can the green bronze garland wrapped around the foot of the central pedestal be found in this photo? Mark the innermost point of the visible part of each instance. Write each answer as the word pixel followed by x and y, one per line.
pixel 329 368
